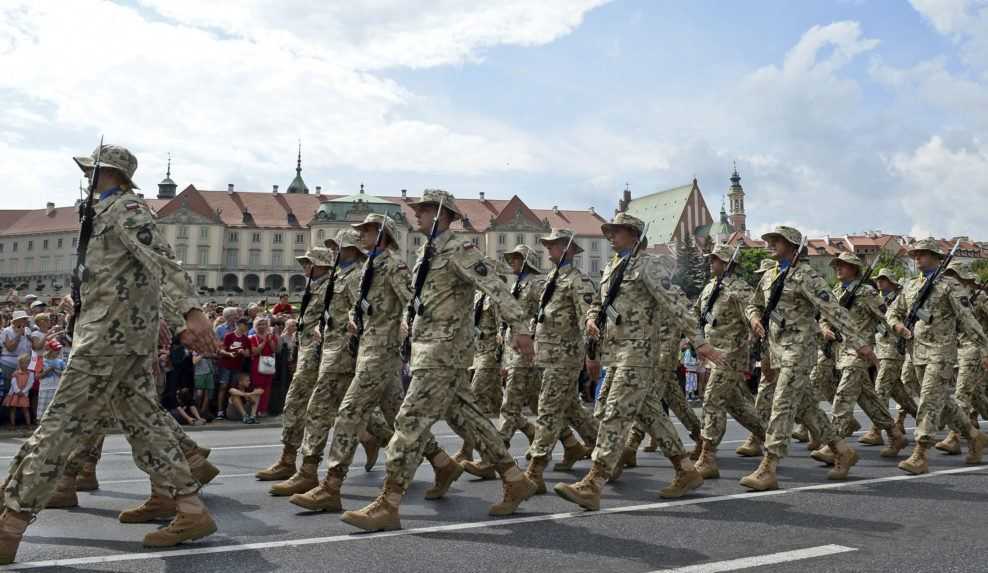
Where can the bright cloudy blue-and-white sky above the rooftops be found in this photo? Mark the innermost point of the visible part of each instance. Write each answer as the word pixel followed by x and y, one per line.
pixel 842 116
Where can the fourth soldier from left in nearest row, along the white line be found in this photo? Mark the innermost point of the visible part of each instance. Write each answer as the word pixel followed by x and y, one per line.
pixel 792 337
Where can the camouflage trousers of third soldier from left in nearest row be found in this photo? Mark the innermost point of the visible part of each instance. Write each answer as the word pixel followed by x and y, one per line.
pixel 634 395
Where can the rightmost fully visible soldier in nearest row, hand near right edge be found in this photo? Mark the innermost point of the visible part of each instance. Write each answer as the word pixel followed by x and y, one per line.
pixel 944 317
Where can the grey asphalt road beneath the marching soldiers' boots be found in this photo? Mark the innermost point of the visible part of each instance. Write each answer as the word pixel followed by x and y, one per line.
pixel 880 520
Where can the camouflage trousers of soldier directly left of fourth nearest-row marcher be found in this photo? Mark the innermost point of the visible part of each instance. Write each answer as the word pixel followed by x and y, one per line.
pixel 726 394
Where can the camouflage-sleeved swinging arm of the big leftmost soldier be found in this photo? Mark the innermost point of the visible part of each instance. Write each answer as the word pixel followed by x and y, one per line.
pixel 141 237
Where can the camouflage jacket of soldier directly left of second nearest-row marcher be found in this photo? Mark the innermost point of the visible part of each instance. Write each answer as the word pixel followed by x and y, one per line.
pixel 388 296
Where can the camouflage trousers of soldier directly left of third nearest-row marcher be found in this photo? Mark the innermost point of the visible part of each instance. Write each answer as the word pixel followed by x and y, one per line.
pixel 559 407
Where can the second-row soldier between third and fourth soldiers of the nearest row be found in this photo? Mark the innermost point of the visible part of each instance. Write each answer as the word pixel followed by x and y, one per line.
pixel 726 329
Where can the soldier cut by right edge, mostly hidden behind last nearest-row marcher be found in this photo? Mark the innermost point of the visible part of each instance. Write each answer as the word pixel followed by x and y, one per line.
pixel 970 390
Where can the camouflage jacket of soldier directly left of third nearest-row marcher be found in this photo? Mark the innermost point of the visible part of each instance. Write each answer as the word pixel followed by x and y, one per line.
pixel 559 338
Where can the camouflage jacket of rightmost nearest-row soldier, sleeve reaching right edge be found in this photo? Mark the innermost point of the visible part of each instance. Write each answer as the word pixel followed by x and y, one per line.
pixel 948 315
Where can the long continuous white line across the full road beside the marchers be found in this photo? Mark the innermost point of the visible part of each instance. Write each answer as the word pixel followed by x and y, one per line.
pixel 471 525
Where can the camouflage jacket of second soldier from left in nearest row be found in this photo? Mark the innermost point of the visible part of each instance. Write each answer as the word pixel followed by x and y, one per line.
pixel 442 333
